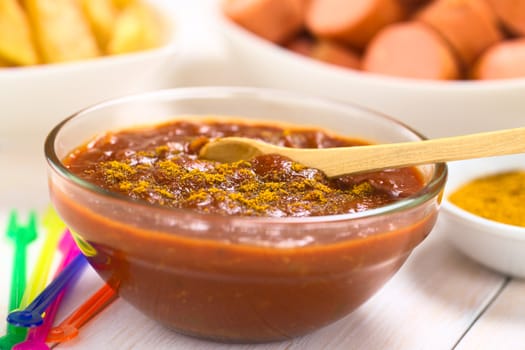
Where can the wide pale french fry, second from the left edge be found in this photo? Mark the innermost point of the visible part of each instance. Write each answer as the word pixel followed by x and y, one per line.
pixel 62 32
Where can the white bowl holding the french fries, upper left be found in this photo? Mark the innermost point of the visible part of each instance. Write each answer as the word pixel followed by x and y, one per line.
pixel 34 98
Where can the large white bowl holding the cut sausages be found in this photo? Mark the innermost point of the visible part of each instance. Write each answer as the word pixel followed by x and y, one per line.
pixel 435 108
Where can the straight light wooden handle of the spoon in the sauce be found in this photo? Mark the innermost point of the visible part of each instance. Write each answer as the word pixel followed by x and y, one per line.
pixel 364 158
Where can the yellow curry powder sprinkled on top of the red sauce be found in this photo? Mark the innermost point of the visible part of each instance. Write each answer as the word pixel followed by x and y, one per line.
pixel 256 194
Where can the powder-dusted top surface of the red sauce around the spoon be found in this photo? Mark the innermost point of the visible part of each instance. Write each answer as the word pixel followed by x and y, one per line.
pixel 160 165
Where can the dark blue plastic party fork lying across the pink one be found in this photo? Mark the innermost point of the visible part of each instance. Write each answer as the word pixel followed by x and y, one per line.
pixel 32 315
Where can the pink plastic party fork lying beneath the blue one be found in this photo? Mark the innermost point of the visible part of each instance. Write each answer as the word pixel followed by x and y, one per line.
pixel 36 338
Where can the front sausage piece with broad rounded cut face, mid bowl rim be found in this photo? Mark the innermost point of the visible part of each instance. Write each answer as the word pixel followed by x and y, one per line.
pixel 410 49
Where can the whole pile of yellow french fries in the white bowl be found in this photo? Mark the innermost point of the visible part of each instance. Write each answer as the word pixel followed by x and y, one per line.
pixel 52 31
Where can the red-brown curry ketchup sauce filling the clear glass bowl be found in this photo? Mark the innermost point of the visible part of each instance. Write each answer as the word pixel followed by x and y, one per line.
pixel 245 271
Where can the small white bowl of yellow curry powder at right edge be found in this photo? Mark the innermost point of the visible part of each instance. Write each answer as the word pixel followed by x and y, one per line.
pixel 483 212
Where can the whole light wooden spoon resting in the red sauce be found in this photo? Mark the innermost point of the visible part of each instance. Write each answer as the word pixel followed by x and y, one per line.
pixel 344 160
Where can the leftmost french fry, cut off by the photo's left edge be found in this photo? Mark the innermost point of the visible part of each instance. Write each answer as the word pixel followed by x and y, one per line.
pixel 16 44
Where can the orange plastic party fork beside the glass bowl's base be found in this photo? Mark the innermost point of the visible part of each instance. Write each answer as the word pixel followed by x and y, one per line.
pixel 68 329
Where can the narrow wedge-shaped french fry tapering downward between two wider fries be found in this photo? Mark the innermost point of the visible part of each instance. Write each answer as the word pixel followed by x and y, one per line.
pixel 102 15
